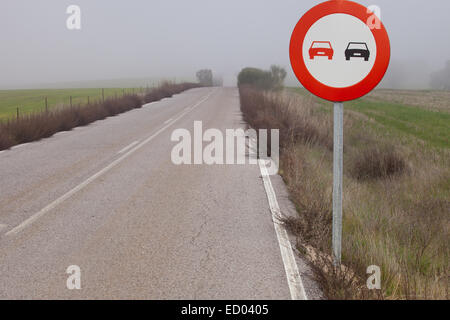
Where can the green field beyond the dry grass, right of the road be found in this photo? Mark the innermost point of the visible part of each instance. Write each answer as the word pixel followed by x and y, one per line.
pixel 432 126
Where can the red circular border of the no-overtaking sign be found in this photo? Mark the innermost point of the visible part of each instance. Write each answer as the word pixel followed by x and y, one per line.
pixel 316 87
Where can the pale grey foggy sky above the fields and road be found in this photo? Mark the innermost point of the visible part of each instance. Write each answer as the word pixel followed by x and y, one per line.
pixel 144 40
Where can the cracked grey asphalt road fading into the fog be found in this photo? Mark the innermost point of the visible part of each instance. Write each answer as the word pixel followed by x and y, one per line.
pixel 107 198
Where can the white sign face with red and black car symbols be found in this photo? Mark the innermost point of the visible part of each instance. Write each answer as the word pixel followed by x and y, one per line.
pixel 339 50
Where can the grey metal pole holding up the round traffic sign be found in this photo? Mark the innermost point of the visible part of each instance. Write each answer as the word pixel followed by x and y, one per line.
pixel 337 180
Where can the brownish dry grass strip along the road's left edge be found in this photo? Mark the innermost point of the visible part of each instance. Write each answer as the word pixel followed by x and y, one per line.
pixel 35 126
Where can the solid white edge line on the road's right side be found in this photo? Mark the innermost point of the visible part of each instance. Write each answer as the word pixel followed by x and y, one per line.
pixel 290 266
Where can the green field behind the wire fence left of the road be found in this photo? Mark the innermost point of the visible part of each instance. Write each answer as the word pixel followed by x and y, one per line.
pixel 34 100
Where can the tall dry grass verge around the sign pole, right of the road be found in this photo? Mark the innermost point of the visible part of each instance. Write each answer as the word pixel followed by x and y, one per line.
pixel 396 200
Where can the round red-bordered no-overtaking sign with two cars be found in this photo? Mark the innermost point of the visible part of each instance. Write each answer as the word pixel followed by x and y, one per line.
pixel 336 54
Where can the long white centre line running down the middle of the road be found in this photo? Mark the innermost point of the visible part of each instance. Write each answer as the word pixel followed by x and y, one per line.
pixel 79 187
